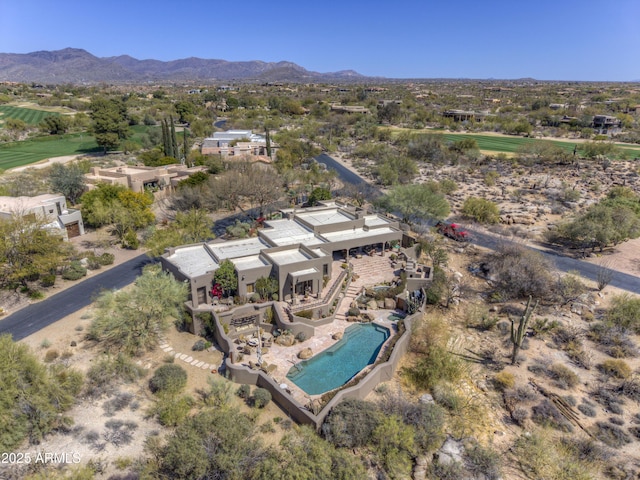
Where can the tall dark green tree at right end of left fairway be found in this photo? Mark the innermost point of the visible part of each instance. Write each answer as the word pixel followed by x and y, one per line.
pixel 110 124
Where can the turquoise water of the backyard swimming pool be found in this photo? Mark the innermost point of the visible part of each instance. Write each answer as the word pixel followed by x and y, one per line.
pixel 336 365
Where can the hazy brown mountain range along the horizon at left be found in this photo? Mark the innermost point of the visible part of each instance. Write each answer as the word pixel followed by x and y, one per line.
pixel 74 65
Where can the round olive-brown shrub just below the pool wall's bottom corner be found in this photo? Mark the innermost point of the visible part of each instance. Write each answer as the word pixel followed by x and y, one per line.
pixel 351 423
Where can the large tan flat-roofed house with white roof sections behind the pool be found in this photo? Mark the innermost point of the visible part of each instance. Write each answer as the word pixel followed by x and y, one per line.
pixel 297 250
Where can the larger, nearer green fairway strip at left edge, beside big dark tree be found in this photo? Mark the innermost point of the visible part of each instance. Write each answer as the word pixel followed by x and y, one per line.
pixel 17 154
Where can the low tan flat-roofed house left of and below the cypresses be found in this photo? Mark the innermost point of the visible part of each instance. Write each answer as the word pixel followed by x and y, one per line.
pixel 140 178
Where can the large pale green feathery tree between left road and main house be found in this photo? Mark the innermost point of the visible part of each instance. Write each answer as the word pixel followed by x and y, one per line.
pixel 133 321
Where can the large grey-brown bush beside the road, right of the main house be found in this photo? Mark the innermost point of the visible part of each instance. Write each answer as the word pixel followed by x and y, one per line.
pixel 519 272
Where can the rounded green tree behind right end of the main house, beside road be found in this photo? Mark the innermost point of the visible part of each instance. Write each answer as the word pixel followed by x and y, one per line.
pixel 415 202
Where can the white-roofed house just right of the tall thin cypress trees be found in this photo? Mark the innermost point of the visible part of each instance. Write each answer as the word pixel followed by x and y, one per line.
pixel 236 143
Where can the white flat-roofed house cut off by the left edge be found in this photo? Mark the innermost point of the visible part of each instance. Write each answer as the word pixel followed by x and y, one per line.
pixel 49 207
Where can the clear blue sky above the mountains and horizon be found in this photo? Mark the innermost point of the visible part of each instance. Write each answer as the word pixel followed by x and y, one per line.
pixel 543 39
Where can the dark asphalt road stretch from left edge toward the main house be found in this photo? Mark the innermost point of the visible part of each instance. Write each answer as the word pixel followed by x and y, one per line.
pixel 36 316
